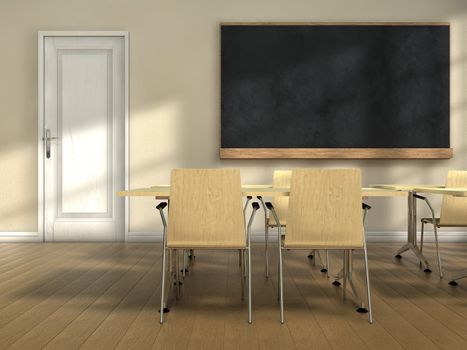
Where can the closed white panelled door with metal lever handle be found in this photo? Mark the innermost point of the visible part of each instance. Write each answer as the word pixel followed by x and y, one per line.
pixel 84 137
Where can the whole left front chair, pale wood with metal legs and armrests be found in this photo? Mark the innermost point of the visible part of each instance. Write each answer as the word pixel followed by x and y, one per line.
pixel 206 212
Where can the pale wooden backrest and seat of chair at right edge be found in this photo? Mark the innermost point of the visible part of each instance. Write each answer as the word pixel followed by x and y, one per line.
pixel 454 209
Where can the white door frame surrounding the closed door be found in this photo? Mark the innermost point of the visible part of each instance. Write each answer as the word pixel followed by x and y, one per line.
pixel 40 116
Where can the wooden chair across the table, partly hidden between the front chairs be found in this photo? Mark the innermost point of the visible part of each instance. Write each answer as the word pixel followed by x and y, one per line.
pixel 281 179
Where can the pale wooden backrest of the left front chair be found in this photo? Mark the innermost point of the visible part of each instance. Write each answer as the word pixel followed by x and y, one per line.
pixel 206 209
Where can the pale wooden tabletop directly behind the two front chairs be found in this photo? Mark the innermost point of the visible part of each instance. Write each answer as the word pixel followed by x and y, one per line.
pixel 254 190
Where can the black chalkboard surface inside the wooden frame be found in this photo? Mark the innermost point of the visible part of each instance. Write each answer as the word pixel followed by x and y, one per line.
pixel 335 86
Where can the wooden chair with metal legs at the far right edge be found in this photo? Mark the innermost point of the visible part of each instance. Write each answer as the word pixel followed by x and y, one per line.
pixel 453 214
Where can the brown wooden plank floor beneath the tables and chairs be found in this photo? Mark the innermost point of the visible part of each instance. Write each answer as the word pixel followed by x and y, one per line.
pixel 105 296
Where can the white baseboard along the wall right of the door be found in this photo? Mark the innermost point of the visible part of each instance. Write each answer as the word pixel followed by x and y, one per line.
pixel 372 236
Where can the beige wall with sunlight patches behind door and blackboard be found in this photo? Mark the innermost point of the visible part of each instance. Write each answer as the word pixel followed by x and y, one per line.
pixel 174 92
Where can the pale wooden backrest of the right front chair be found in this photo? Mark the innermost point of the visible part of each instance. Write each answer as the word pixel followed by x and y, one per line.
pixel 325 209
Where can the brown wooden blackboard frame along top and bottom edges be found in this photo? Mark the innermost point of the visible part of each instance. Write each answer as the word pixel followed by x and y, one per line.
pixel 335 153
